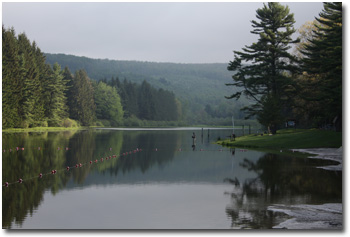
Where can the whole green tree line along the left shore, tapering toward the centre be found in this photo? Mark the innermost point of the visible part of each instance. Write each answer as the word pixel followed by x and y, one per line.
pixel 35 94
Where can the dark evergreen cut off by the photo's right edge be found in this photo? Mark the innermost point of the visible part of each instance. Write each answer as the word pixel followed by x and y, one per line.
pixel 323 61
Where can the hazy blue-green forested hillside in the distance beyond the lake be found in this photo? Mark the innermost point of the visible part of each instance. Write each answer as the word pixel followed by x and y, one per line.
pixel 199 87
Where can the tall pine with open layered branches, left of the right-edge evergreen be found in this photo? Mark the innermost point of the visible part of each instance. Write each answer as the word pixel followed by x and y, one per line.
pixel 263 69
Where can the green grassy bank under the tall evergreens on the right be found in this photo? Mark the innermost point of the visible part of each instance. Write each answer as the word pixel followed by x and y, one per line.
pixel 288 139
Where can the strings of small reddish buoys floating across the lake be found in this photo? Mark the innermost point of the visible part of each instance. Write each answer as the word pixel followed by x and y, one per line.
pixel 79 165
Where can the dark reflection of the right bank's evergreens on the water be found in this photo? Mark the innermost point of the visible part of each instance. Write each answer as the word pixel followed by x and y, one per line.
pixel 280 179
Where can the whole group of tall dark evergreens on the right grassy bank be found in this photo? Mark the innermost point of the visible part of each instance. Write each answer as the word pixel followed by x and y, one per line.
pixel 305 87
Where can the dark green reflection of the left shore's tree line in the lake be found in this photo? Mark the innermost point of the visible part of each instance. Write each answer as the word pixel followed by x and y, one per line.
pixel 43 152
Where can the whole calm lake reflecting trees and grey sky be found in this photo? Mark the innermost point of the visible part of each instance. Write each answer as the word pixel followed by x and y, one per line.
pixel 160 179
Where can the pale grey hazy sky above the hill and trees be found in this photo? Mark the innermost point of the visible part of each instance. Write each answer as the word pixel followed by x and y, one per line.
pixel 158 32
